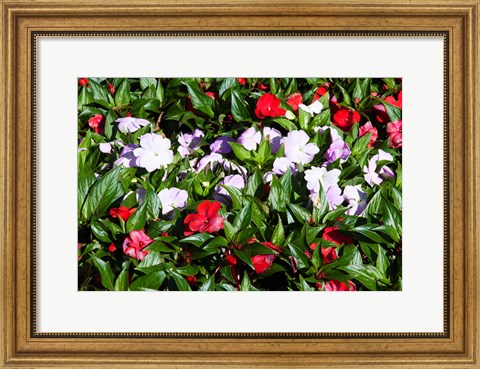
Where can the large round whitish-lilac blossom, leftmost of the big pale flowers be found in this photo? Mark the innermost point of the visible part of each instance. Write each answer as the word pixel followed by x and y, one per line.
pixel 154 152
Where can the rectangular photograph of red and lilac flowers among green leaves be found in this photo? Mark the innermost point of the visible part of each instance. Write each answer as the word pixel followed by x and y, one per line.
pixel 239 184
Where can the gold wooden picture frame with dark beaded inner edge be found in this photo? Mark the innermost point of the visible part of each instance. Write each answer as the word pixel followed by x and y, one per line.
pixel 22 21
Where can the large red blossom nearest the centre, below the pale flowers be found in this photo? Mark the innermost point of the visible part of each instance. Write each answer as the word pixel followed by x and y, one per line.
pixel 207 219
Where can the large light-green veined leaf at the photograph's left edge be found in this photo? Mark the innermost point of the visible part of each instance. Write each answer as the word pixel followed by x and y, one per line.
pixel 103 193
